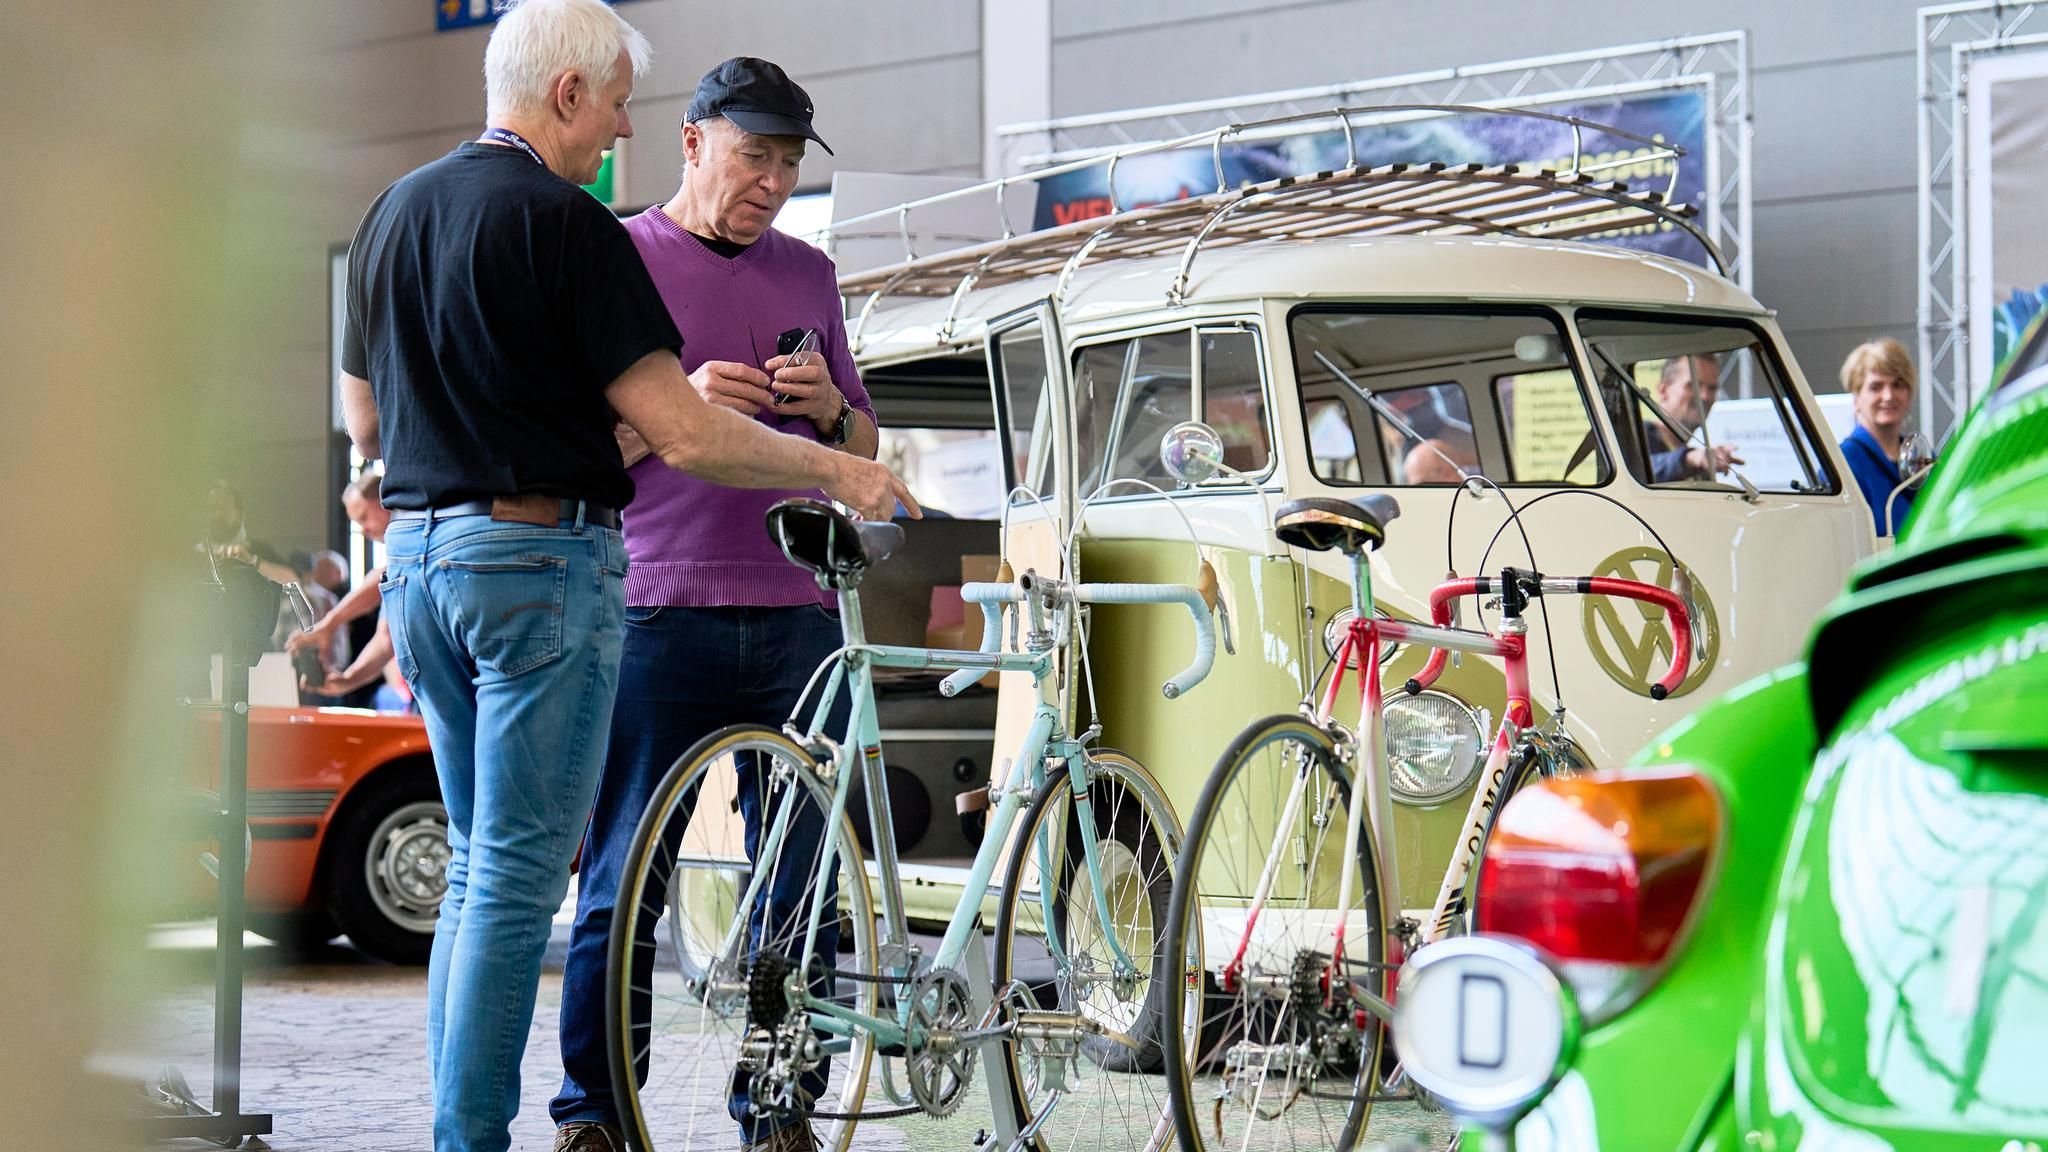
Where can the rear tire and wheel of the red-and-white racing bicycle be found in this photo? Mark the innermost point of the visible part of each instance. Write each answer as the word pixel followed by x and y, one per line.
pixel 1226 1022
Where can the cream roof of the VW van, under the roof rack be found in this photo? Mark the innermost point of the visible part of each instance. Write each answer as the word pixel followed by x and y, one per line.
pixel 1363 268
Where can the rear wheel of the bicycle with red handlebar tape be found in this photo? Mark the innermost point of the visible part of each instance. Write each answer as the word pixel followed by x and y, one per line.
pixel 1281 1053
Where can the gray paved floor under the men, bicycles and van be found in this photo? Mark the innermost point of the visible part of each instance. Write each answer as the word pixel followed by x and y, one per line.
pixel 335 1051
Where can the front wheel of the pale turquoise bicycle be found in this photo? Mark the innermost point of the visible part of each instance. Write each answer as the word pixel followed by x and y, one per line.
pixel 1082 946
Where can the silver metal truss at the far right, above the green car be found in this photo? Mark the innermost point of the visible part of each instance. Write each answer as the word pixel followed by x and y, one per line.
pixel 1953 38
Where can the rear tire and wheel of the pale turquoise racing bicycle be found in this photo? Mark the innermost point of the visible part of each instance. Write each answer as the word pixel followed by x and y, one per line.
pixel 712 846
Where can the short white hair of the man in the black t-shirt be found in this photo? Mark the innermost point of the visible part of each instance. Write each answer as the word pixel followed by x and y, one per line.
pixel 536 42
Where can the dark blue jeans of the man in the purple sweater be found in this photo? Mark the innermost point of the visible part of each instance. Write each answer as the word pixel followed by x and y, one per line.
pixel 687 673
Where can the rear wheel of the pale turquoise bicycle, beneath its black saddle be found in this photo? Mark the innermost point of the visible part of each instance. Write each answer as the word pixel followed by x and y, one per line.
pixel 699 985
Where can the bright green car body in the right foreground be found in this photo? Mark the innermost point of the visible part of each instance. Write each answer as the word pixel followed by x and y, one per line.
pixel 1871 964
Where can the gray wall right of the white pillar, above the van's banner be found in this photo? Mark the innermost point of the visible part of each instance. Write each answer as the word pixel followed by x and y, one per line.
pixel 1834 104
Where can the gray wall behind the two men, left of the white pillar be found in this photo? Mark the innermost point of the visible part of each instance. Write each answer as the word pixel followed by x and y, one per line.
pixel 374 91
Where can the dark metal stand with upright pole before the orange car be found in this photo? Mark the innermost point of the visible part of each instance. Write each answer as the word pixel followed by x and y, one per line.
pixel 245 614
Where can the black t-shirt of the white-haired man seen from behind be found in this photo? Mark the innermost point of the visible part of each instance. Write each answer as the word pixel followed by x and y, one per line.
pixel 490 304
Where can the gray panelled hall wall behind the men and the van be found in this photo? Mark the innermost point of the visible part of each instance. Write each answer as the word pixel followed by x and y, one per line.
pixel 898 87
